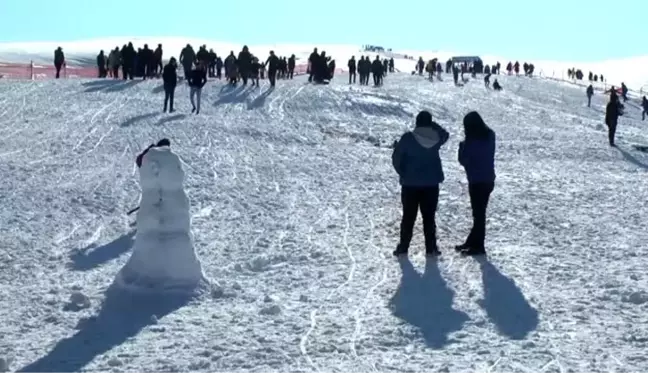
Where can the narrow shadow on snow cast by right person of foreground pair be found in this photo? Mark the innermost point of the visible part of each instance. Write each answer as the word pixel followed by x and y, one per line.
pixel 504 303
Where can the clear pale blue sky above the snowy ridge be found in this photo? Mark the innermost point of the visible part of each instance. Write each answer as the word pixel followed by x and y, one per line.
pixel 570 30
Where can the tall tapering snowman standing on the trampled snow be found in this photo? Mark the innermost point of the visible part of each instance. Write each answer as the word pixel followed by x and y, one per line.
pixel 163 256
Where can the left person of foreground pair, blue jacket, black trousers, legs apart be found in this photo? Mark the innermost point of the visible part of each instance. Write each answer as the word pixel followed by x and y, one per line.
pixel 418 165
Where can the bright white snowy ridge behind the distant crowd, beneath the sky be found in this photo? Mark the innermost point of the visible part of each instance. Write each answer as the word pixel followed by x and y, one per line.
pixel 629 70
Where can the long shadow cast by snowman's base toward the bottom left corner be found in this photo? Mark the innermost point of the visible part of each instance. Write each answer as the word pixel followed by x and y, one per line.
pixel 122 316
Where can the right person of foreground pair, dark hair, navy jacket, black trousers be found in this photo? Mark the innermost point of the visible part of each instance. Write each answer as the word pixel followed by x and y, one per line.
pixel 477 156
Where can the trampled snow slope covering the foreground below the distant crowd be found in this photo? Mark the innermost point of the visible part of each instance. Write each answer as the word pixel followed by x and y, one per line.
pixel 295 211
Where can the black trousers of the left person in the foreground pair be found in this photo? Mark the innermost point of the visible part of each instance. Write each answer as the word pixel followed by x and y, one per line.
pixel 427 199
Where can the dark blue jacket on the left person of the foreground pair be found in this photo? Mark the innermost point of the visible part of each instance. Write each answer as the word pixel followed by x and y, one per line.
pixel 416 156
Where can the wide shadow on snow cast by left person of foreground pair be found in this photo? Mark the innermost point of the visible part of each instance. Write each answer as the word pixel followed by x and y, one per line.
pixel 425 301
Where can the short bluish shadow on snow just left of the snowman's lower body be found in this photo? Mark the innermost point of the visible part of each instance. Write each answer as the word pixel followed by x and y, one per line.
pixel 91 257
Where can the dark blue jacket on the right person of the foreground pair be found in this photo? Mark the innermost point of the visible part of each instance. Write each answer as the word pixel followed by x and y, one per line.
pixel 477 156
